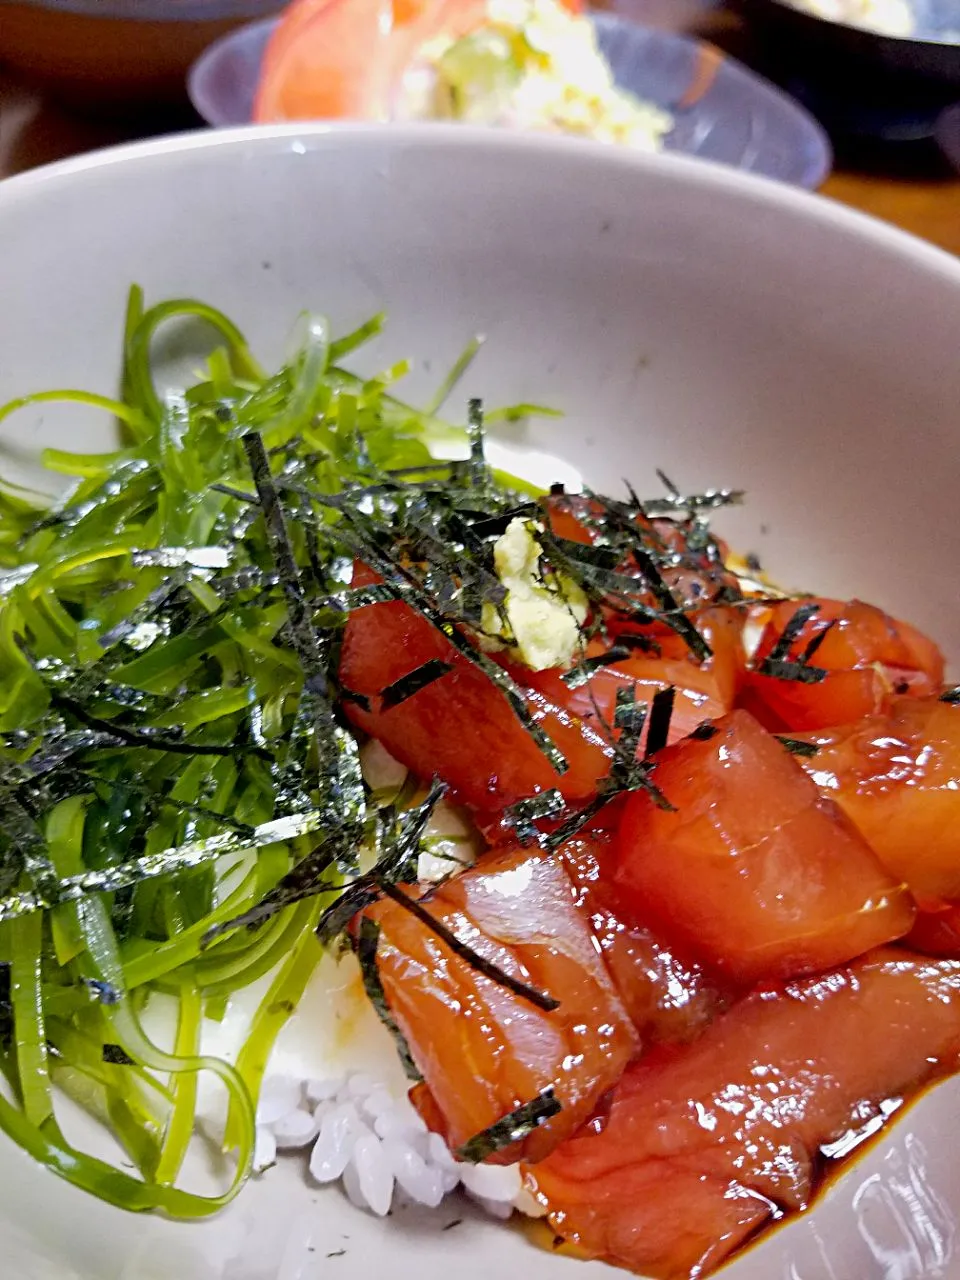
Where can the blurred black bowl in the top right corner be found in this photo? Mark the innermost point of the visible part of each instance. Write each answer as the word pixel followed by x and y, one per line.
pixel 861 83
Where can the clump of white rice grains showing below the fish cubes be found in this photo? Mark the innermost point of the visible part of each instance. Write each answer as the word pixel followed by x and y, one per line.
pixel 373 1144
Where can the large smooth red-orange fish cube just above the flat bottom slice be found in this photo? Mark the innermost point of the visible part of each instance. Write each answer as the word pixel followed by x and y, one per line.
pixel 755 874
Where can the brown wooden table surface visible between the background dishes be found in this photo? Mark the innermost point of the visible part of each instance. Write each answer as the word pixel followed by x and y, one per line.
pixel 921 195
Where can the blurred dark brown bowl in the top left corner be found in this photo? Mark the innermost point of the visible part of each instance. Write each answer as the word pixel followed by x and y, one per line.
pixel 103 54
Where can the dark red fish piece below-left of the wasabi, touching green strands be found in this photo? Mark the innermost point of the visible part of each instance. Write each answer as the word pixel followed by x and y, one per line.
pixel 460 728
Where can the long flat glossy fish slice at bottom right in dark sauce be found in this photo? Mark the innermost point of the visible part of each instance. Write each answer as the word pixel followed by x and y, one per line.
pixel 702 1146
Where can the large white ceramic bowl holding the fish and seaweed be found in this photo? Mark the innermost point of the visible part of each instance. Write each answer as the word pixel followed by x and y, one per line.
pixel 730 331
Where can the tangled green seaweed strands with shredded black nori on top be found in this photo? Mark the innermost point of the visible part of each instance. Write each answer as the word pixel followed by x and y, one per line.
pixel 181 801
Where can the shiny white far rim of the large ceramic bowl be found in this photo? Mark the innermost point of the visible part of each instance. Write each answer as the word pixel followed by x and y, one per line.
pixel 360 135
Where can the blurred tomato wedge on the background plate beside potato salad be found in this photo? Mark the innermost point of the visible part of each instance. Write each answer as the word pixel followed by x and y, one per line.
pixel 330 60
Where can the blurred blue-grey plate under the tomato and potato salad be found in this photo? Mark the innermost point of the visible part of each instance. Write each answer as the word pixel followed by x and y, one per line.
pixel 724 112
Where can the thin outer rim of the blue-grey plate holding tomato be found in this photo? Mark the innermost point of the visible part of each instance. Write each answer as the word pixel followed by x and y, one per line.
pixel 820 159
